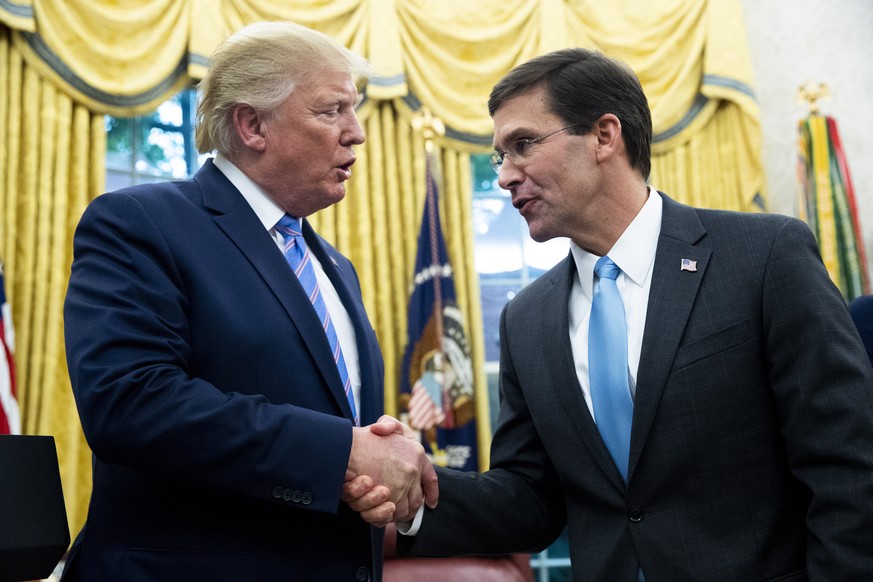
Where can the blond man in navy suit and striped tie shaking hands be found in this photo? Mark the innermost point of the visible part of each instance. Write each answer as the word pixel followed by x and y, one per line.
pixel 222 362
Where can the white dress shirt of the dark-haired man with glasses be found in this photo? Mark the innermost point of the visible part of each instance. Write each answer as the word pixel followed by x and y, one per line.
pixel 634 253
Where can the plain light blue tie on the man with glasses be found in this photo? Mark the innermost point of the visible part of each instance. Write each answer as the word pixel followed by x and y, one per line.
pixel 607 365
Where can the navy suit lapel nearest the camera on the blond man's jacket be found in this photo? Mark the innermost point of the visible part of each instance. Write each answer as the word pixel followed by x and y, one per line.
pixel 239 222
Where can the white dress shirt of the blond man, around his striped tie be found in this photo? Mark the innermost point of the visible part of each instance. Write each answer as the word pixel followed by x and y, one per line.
pixel 269 213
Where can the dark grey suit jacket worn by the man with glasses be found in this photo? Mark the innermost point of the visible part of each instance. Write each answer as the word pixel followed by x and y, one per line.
pixel 752 441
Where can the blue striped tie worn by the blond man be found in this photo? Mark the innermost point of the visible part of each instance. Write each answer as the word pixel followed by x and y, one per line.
pixel 298 257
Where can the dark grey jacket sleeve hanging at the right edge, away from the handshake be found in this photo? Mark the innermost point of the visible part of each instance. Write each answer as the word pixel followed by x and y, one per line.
pixel 823 388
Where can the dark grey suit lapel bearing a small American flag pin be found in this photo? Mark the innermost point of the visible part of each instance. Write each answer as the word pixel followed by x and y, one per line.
pixel 671 298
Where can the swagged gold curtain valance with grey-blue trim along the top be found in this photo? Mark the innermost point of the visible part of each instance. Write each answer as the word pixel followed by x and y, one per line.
pixel 123 57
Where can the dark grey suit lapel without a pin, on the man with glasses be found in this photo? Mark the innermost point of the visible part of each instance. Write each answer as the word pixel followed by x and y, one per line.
pixel 562 375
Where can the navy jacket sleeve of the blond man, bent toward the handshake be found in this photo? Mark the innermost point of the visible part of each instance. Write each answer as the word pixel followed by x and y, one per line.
pixel 130 318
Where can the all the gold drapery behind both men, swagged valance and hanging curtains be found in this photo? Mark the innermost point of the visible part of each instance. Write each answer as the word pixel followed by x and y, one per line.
pixel 124 57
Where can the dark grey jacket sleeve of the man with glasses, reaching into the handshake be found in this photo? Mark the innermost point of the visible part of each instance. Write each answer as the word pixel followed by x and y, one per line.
pixel 515 507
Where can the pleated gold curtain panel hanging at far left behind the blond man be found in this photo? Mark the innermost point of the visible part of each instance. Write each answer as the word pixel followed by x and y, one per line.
pixel 52 160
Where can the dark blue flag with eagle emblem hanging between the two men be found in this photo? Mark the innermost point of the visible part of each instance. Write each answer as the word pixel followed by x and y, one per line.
pixel 436 391
